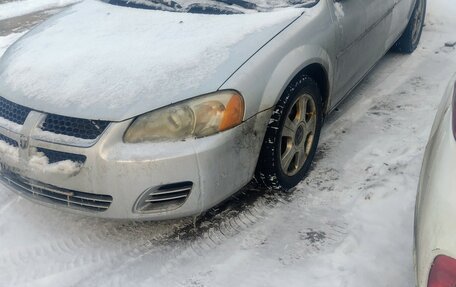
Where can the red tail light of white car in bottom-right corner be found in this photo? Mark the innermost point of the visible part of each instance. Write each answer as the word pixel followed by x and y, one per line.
pixel 443 272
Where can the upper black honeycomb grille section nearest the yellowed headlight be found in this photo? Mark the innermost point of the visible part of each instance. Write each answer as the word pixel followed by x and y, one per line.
pixel 75 127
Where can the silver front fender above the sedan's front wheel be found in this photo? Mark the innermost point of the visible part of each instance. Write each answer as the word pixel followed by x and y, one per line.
pixel 308 40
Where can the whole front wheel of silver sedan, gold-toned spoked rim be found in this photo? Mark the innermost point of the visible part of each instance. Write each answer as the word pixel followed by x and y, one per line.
pixel 292 136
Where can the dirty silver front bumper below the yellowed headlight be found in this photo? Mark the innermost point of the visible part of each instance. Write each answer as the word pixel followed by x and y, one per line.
pixel 217 166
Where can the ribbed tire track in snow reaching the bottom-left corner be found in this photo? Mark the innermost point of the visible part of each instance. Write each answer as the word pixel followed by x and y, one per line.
pixel 69 253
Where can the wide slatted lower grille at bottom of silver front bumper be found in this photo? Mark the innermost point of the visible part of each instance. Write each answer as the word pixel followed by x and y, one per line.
pixel 56 195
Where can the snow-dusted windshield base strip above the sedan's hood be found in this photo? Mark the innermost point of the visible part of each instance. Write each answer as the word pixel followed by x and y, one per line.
pixel 213 6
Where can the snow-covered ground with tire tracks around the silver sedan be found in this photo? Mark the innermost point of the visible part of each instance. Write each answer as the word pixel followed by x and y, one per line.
pixel 348 224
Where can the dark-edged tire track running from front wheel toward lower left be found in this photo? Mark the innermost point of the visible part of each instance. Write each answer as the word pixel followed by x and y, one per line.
pixel 195 238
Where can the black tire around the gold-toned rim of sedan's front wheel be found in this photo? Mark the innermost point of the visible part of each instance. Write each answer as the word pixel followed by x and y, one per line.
pixel 269 171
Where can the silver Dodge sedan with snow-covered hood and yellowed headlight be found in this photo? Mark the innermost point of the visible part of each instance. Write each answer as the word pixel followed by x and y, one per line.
pixel 149 109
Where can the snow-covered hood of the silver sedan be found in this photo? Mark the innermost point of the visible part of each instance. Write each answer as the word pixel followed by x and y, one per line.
pixel 100 61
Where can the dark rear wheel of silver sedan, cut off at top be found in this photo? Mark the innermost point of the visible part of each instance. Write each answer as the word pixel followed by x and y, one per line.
pixel 410 39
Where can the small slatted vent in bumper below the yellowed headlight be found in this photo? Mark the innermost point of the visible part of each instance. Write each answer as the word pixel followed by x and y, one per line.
pixel 165 197
